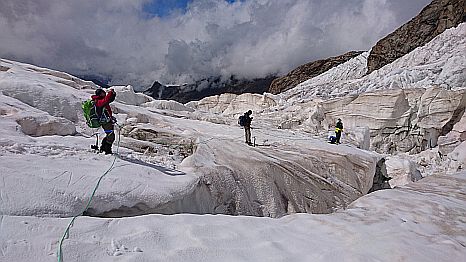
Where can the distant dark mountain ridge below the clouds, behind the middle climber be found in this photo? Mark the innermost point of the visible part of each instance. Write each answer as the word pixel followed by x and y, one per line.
pixel 208 87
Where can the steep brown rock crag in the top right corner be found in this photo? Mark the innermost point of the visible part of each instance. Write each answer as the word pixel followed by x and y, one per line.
pixel 432 21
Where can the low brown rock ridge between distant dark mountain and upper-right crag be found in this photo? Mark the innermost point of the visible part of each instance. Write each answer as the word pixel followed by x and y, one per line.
pixel 308 71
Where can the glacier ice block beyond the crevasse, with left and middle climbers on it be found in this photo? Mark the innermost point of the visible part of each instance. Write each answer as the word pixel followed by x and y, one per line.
pixel 171 160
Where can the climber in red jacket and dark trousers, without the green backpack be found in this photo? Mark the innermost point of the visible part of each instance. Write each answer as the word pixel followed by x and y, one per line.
pixel 102 102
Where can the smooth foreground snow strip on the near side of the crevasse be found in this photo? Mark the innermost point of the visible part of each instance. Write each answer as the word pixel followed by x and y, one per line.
pixel 420 222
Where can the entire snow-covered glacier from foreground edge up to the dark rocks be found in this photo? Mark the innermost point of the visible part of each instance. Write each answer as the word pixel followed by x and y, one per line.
pixel 176 159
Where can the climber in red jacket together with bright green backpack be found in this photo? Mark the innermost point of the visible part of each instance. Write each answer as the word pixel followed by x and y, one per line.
pixel 98 113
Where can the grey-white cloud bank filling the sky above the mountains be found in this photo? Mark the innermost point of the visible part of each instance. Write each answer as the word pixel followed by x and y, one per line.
pixel 251 38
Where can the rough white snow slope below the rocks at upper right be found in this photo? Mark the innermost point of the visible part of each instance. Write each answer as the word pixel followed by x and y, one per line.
pixel 440 62
